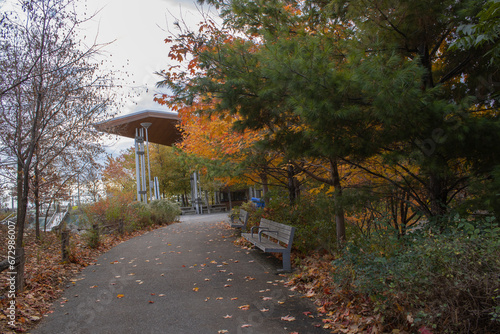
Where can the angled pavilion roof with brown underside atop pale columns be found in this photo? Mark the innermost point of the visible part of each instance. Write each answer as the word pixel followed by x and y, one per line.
pixel 163 129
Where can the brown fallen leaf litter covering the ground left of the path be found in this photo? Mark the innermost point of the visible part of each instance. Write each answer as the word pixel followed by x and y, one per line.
pixel 46 276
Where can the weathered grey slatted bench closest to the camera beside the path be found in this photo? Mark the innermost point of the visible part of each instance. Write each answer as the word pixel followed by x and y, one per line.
pixel 269 236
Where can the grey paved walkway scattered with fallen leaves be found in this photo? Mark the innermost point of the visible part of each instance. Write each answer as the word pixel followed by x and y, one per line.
pixel 186 278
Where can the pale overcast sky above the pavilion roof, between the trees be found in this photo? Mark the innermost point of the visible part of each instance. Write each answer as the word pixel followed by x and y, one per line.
pixel 138 29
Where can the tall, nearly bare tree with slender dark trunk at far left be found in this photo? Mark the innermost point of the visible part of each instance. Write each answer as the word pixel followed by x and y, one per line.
pixel 61 95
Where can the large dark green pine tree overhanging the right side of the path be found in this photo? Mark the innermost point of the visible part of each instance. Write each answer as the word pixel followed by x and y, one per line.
pixel 351 81
